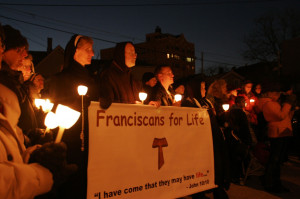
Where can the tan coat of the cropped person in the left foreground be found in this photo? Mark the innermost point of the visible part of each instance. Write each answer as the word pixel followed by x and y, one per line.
pixel 17 179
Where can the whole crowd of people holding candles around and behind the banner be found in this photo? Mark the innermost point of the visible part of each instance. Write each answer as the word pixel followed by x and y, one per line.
pixel 33 166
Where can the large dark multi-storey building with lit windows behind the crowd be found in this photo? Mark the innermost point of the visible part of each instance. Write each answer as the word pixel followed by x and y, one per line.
pixel 162 49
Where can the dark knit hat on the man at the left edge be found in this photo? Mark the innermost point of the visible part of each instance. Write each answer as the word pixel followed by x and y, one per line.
pixel 13 38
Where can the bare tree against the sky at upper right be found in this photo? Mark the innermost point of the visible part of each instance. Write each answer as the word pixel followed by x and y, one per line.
pixel 264 43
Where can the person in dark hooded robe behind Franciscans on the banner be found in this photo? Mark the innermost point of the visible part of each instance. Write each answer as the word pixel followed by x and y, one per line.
pixel 116 82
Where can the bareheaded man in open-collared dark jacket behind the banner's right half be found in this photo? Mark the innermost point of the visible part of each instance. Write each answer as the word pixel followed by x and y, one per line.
pixel 163 92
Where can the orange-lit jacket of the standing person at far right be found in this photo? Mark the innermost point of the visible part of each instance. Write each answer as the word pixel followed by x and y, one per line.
pixel 278 118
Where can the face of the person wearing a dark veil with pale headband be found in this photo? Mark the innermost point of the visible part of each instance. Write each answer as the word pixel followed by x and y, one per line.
pixel 84 54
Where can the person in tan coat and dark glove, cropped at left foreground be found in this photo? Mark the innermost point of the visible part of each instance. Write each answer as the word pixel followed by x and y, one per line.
pixel 27 172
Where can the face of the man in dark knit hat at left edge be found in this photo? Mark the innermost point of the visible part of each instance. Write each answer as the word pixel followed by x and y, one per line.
pixel 14 57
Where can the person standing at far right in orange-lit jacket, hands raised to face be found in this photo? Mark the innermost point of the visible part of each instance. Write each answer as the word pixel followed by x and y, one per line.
pixel 279 129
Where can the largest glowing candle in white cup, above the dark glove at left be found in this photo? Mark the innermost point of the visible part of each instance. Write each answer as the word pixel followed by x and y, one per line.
pixel 66 118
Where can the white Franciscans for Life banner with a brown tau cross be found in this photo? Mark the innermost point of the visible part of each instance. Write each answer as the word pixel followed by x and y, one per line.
pixel 139 151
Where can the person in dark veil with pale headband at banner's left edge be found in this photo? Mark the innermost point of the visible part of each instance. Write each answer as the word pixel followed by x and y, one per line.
pixel 62 89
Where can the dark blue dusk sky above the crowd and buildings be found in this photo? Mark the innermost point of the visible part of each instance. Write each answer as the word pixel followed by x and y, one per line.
pixel 216 27
